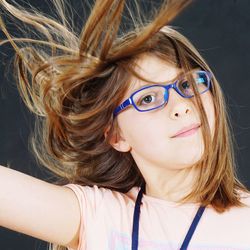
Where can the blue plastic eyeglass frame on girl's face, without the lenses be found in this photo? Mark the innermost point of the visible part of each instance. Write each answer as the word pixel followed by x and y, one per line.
pixel 130 101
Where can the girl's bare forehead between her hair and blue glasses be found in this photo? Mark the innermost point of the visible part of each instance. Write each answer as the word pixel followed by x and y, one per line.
pixel 153 69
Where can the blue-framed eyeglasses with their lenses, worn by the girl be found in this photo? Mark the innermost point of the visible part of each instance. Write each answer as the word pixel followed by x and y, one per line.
pixel 155 96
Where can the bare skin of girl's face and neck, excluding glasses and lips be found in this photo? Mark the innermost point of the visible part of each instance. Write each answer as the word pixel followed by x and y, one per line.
pixel 165 162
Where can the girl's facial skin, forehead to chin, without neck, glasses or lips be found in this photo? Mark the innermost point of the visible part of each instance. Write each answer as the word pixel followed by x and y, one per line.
pixel 149 135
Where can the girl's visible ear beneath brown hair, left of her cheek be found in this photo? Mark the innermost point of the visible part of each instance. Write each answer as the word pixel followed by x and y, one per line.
pixel 117 141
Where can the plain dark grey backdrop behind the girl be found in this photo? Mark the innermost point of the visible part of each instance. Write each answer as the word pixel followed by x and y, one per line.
pixel 219 30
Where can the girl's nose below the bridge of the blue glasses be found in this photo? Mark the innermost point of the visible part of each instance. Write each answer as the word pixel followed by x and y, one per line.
pixel 177 105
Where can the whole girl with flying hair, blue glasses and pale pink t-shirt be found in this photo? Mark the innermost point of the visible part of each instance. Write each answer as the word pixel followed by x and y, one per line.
pixel 135 124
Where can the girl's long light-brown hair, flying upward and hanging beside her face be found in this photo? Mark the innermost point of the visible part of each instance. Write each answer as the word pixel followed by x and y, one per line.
pixel 73 82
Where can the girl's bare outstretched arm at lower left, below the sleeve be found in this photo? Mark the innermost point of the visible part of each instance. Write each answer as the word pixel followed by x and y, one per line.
pixel 39 209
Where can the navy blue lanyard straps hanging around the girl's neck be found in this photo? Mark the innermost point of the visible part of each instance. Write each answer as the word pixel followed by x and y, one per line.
pixel 136 222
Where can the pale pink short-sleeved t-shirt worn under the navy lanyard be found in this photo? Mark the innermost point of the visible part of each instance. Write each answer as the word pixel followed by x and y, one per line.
pixel 107 219
